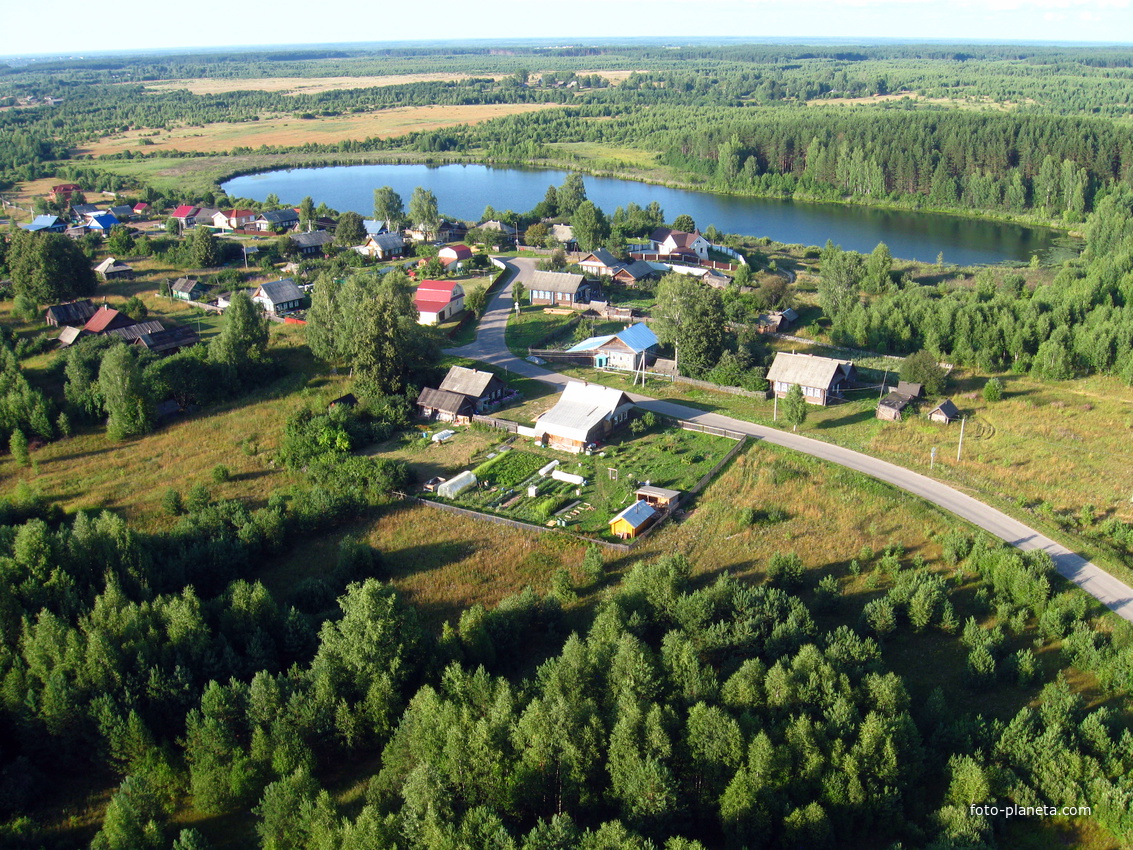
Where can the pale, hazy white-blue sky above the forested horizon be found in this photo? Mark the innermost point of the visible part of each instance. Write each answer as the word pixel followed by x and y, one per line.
pixel 73 30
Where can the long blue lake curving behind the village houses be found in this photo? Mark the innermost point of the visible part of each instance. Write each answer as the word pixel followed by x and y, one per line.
pixel 465 191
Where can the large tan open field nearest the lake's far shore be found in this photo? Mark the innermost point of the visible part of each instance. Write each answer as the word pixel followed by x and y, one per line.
pixel 288 131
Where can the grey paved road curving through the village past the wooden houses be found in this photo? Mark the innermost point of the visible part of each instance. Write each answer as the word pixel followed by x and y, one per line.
pixel 1117 596
